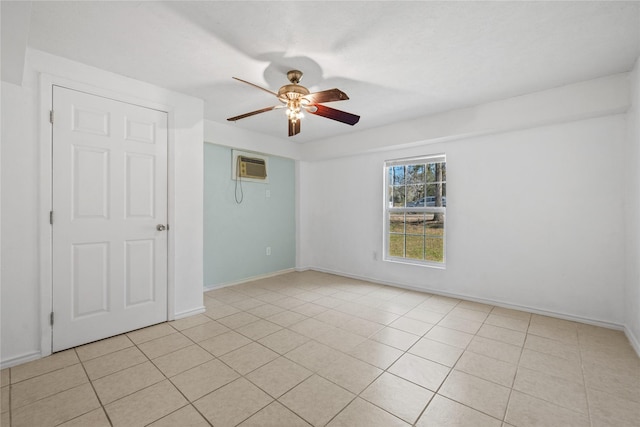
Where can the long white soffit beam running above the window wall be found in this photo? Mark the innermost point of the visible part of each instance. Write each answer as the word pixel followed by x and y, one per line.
pixel 591 98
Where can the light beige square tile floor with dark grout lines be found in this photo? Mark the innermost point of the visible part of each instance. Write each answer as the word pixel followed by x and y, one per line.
pixel 316 349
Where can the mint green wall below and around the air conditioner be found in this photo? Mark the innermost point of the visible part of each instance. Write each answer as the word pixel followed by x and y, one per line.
pixel 236 235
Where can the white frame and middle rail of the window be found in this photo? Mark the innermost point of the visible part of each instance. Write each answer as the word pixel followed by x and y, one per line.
pixel 388 209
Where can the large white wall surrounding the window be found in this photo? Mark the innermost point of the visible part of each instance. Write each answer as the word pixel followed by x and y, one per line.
pixel 534 216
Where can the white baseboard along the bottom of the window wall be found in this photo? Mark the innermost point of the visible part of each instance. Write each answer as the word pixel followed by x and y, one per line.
pixel 534 310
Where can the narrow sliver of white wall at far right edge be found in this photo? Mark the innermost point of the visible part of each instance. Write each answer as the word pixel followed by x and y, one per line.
pixel 632 179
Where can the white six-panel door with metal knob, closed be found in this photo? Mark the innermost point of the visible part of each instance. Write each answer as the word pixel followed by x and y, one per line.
pixel 109 217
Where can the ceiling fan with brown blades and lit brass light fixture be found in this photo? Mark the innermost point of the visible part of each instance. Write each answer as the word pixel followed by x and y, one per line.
pixel 296 98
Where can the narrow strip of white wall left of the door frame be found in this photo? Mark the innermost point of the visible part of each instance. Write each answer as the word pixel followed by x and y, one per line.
pixel 20 310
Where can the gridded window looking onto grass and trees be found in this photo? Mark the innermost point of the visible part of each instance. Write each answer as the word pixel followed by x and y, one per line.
pixel 415 206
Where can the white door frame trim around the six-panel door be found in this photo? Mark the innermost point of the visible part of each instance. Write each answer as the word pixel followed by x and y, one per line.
pixel 45 231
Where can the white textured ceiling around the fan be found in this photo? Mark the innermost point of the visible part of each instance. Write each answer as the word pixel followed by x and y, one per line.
pixel 395 60
